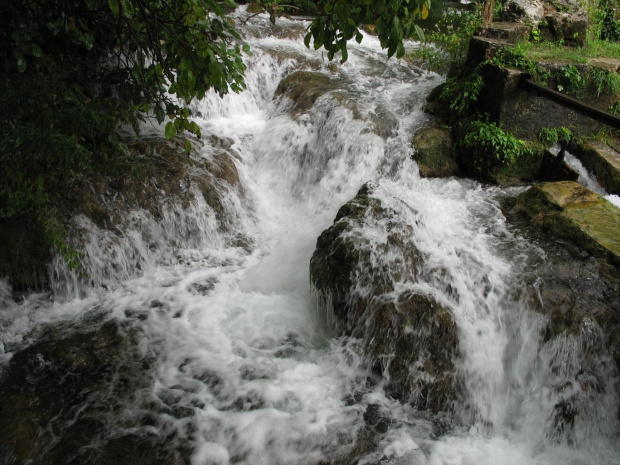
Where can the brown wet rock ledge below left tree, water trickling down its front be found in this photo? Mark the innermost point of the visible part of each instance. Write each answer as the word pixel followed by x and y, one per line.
pixel 163 175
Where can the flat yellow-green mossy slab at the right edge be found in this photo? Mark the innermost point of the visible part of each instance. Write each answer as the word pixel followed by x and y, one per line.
pixel 575 213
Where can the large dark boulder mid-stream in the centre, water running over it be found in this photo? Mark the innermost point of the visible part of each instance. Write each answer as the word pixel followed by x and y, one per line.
pixel 409 338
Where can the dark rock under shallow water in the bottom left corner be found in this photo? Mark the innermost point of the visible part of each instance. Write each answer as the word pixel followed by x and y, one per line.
pixel 57 394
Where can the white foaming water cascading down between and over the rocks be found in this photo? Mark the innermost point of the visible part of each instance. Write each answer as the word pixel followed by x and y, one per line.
pixel 239 367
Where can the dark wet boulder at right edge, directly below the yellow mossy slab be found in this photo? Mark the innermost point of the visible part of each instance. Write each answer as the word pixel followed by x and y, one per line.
pixel 579 351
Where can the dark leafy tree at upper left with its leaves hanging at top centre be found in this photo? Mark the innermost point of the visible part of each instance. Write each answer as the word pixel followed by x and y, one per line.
pixel 73 71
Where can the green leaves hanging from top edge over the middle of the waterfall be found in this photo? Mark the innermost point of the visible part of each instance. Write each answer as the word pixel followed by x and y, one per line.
pixel 394 21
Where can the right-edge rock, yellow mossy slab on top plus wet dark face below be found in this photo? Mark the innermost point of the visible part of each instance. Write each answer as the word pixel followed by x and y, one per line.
pixel 580 293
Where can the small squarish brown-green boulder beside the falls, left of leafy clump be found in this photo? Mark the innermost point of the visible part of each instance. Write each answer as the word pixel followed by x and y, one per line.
pixel 433 152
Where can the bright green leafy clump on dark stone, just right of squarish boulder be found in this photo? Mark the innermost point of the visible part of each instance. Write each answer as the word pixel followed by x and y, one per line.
pixel 485 137
